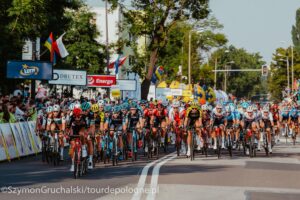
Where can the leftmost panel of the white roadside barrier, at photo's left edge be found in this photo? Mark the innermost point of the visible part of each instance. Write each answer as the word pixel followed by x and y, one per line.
pixel 9 141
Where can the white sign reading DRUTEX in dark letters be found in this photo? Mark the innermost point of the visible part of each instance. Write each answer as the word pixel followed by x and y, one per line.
pixel 68 77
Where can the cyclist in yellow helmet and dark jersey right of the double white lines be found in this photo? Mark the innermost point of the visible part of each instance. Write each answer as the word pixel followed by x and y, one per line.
pixel 193 119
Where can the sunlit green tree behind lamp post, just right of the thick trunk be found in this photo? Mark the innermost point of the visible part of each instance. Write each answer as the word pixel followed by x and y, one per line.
pixel 176 51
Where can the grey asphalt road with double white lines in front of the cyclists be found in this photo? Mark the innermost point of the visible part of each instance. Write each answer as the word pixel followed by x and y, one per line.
pixel 170 177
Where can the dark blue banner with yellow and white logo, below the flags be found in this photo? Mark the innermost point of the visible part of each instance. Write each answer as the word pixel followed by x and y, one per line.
pixel 29 70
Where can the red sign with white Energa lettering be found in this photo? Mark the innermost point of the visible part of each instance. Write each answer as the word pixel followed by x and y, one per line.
pixel 101 80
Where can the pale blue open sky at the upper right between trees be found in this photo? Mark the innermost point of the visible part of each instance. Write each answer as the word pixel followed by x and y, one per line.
pixel 257 25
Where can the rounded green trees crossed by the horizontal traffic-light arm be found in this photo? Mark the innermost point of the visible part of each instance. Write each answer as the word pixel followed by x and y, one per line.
pixel 241 84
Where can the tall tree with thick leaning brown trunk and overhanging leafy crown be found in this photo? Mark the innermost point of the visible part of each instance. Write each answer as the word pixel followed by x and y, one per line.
pixel 155 19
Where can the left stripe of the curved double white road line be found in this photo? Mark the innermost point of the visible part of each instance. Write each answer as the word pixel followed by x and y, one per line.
pixel 141 184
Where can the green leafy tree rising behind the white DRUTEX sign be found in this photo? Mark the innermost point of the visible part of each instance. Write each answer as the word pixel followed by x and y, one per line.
pixel 80 40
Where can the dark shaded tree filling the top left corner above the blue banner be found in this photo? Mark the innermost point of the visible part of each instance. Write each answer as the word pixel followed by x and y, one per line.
pixel 28 19
